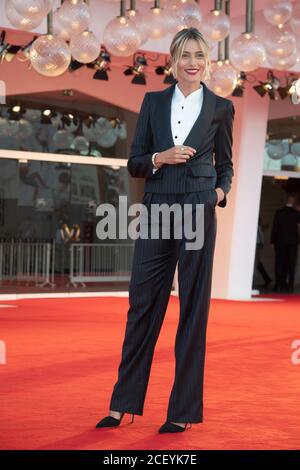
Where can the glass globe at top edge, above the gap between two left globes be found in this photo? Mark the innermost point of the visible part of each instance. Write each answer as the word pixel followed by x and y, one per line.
pixel 74 16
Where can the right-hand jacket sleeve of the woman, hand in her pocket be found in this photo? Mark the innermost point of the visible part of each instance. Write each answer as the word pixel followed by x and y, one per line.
pixel 223 152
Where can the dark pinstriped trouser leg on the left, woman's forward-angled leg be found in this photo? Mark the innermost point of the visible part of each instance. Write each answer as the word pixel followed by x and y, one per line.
pixel 154 264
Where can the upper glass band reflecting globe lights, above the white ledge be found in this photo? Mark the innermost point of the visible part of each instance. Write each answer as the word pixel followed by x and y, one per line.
pixel 50 123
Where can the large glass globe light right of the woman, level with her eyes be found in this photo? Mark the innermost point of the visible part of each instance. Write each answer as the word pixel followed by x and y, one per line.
pixel 247 52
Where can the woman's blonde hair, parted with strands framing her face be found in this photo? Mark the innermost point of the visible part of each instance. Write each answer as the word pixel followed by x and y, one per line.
pixel 178 44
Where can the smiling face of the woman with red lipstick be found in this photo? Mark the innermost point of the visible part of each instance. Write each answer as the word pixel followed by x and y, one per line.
pixel 191 65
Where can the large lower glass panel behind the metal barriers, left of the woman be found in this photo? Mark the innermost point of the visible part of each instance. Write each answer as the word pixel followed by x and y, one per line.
pixel 48 222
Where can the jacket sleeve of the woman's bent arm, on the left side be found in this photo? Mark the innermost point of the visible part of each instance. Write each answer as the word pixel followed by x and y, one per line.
pixel 139 163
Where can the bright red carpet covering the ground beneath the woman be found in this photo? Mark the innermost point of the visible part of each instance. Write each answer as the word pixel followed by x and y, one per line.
pixel 62 359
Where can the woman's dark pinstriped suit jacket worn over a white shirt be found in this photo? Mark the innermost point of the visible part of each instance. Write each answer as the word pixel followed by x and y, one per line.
pixel 211 136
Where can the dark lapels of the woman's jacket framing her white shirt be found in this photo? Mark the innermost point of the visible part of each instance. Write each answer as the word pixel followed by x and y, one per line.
pixel 196 136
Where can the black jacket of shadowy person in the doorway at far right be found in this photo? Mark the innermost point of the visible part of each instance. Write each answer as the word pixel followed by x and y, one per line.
pixel 285 226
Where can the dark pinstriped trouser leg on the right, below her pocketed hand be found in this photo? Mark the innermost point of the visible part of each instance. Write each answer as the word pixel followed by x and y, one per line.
pixel 194 278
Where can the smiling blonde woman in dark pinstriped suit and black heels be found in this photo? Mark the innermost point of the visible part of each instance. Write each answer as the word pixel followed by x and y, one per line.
pixel 178 131
